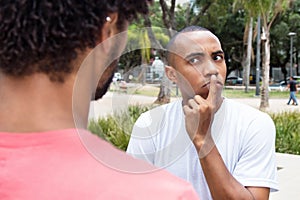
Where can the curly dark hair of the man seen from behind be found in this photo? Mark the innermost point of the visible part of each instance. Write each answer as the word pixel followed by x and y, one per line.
pixel 44 35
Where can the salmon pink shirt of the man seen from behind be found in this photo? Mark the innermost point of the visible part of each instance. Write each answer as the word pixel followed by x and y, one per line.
pixel 75 164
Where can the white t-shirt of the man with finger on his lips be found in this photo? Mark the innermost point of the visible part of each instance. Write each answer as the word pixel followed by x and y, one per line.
pixel 244 136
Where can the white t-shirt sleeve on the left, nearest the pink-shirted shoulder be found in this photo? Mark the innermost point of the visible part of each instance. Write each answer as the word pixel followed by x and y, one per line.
pixel 141 144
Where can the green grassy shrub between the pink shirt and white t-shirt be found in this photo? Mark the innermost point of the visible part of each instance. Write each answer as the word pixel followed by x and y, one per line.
pixel 116 128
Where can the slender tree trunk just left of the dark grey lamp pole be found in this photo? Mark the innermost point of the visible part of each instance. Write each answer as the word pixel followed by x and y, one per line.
pixel 247 55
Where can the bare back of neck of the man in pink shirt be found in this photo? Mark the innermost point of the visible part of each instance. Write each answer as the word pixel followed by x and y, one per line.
pixel 35 104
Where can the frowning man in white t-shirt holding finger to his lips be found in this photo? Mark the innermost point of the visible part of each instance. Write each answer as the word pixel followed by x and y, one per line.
pixel 224 148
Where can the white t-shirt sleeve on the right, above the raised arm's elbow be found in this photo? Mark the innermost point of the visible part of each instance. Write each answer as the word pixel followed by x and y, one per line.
pixel 257 160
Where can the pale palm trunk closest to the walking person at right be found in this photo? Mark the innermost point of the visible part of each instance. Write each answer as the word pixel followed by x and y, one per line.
pixel 264 103
